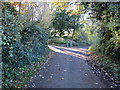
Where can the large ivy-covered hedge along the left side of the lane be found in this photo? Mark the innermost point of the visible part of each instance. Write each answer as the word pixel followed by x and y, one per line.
pixel 24 47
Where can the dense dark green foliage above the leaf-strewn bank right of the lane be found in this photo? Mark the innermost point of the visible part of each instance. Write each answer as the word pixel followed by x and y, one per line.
pixel 109 32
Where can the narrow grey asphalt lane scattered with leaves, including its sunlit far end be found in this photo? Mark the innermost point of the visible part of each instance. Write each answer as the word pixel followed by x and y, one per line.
pixel 67 69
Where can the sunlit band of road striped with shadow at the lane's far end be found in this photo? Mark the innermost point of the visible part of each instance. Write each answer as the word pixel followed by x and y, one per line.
pixel 76 52
